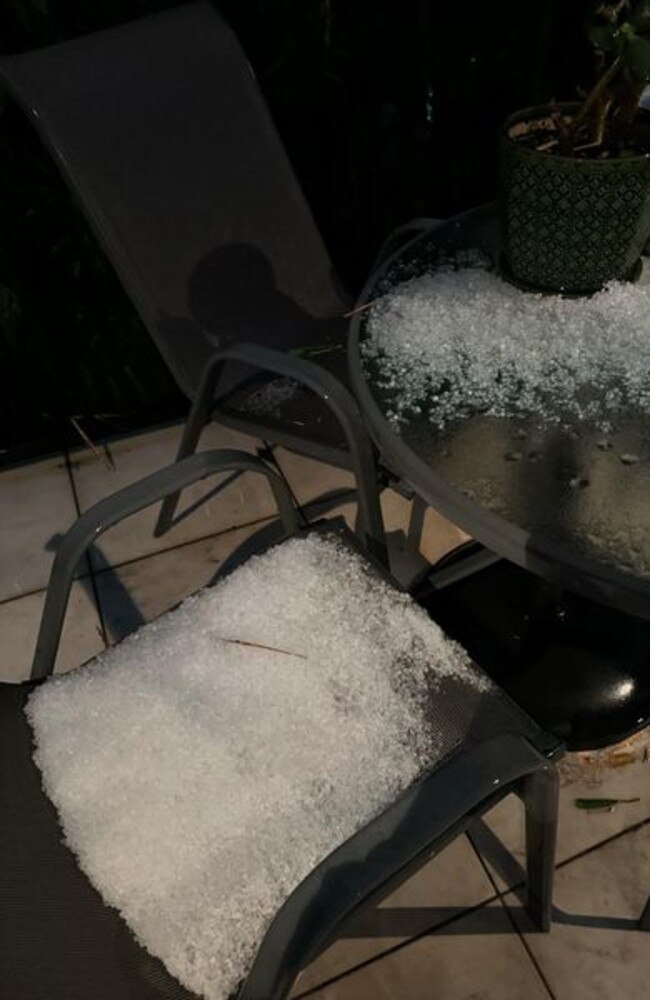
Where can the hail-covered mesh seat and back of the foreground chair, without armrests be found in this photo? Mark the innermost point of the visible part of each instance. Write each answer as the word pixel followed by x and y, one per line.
pixel 132 753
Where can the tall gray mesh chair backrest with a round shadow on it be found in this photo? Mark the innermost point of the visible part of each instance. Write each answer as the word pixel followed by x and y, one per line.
pixel 161 132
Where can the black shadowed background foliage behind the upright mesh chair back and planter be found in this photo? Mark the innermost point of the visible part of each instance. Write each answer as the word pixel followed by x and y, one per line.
pixel 389 110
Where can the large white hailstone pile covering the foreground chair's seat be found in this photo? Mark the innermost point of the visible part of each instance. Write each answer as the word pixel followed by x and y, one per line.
pixel 205 765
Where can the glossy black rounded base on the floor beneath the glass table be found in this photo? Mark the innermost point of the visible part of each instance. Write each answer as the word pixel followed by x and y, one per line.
pixel 580 669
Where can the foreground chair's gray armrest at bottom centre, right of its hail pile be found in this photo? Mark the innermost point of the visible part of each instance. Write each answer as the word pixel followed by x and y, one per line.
pixel 383 853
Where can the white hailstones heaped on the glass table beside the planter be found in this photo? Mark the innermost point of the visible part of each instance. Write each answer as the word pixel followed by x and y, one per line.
pixel 451 344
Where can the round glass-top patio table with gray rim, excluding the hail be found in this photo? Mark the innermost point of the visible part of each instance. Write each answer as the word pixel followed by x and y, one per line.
pixel 563 500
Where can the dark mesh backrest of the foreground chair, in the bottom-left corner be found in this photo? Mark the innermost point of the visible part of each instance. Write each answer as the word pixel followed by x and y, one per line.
pixel 57 937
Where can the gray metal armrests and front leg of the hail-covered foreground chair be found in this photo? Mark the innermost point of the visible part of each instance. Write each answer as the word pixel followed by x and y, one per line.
pixel 390 848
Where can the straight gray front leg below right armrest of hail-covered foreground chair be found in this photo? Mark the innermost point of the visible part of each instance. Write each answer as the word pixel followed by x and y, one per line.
pixel 540 797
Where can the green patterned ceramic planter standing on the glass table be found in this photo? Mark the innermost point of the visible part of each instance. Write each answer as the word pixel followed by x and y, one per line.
pixel 570 225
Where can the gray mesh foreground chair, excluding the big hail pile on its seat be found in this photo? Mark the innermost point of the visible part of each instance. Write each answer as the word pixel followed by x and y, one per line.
pixel 60 940
